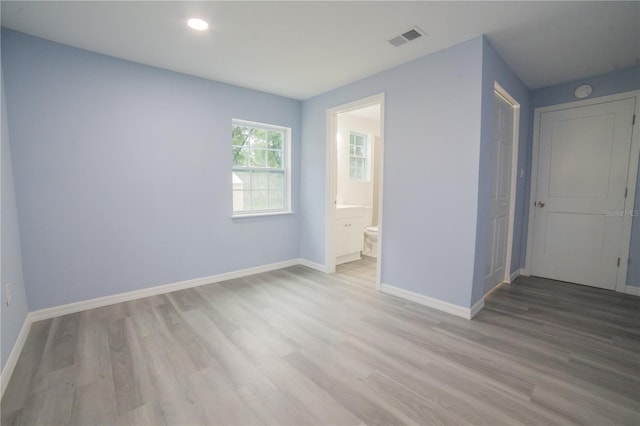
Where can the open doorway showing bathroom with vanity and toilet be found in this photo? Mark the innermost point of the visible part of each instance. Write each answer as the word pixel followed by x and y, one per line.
pixel 354 184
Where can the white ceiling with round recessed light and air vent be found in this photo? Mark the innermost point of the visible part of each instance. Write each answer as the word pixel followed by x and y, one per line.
pixel 301 49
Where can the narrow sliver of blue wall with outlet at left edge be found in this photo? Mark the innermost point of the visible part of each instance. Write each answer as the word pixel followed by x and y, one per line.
pixel 12 317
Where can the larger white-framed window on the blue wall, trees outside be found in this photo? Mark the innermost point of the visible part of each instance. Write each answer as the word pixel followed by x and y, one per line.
pixel 260 173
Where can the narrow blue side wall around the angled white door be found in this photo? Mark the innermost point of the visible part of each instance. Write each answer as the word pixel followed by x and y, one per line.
pixel 494 70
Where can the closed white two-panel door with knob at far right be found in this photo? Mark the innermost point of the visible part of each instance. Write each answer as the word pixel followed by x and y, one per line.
pixel 583 161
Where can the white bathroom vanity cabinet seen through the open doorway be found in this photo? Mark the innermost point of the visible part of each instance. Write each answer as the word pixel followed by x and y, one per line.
pixel 349 233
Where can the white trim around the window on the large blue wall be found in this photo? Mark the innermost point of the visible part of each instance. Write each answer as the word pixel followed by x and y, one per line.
pixel 286 152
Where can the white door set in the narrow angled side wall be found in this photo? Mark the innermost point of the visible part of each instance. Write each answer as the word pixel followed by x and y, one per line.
pixel 503 128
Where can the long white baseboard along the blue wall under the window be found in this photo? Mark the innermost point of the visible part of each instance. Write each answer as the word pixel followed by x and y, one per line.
pixel 71 308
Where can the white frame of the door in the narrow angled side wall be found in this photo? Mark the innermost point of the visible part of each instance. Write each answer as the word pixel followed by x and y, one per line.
pixel 514 177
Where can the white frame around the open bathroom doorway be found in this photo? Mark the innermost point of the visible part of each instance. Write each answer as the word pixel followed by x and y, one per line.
pixel 331 179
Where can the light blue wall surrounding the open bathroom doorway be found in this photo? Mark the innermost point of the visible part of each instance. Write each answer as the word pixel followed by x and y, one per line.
pixel 431 154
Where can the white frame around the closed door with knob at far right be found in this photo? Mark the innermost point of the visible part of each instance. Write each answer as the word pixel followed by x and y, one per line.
pixel 632 174
